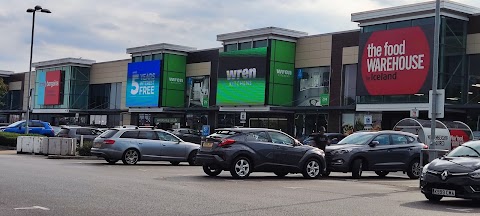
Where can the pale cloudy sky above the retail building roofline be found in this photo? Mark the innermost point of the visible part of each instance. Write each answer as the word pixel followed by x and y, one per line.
pixel 102 30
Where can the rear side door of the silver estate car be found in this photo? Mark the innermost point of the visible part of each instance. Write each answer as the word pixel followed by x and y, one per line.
pixel 149 145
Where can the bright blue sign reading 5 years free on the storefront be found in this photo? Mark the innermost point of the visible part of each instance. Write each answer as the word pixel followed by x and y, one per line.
pixel 143 84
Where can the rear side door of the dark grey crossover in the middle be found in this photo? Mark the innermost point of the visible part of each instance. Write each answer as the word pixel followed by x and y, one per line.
pixel 268 153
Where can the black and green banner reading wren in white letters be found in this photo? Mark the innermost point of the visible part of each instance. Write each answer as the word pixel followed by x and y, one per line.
pixel 242 77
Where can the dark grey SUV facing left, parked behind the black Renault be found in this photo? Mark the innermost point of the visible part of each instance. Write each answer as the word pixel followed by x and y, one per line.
pixel 382 152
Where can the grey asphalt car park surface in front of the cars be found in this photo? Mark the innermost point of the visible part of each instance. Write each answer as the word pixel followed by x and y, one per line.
pixel 33 185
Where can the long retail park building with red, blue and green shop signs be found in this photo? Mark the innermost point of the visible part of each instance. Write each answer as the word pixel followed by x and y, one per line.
pixel 373 76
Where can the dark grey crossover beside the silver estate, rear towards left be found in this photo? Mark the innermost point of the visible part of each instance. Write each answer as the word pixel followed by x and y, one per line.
pixel 245 150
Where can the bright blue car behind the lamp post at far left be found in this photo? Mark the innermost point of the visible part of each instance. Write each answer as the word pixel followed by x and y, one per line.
pixel 35 127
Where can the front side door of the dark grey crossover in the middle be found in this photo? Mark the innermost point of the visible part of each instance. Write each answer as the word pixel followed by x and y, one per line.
pixel 289 154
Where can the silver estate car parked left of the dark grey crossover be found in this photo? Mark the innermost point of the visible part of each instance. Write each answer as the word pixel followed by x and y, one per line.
pixel 132 145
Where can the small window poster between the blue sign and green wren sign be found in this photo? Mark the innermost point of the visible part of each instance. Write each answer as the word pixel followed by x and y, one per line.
pixel 198 91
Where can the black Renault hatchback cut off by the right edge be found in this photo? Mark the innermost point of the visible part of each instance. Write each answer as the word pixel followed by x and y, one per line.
pixel 455 175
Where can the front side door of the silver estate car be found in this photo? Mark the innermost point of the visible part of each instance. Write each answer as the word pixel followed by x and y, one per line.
pixel 172 147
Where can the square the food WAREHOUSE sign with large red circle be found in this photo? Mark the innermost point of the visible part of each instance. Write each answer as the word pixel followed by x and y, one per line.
pixel 396 62
